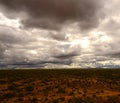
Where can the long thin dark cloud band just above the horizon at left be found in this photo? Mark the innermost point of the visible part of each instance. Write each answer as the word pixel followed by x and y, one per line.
pixel 33 64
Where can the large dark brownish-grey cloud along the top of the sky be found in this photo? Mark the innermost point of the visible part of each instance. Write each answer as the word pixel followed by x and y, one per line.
pixel 52 13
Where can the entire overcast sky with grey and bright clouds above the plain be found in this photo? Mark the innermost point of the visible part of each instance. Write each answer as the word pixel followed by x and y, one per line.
pixel 59 34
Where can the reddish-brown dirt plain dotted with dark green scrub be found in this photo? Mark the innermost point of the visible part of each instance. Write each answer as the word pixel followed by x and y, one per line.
pixel 60 86
